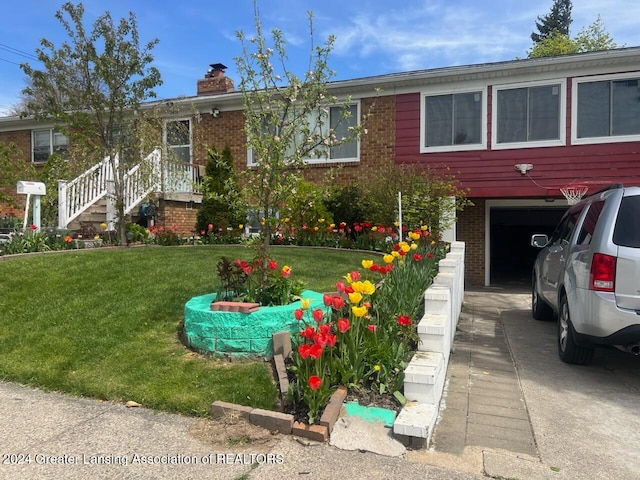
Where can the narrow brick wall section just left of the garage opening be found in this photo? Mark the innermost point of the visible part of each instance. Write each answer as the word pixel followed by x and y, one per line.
pixel 471 229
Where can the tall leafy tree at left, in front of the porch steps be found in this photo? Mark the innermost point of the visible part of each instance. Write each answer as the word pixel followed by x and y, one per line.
pixel 92 86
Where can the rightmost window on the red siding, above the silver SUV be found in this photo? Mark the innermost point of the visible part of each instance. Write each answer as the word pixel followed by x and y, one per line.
pixel 608 108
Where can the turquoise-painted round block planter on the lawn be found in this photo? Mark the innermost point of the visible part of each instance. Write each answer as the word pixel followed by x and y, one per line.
pixel 241 334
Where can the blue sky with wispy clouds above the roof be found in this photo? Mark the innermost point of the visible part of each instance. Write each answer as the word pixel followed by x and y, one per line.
pixel 373 37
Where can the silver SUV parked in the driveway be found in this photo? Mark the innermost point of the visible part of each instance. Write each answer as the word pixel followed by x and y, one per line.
pixel 588 275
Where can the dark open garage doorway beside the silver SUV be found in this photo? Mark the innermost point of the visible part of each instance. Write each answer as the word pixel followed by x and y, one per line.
pixel 511 255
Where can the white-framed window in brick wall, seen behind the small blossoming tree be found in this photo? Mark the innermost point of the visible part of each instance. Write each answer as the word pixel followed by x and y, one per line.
pixel 341 126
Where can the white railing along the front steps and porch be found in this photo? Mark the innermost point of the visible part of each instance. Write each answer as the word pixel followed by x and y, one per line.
pixel 149 176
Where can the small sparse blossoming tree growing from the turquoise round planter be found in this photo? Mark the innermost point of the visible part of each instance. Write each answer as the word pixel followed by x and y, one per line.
pixel 287 118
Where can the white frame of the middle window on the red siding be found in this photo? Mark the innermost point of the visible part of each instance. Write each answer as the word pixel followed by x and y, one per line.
pixel 562 112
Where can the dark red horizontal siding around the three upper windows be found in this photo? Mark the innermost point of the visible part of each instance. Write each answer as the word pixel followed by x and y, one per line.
pixel 491 173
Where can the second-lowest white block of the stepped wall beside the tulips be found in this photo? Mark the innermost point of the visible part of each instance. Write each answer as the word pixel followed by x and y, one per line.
pixel 424 378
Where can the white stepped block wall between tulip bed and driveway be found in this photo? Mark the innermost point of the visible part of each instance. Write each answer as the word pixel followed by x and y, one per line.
pixel 427 370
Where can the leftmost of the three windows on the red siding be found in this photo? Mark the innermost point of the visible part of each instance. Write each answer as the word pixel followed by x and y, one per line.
pixel 453 121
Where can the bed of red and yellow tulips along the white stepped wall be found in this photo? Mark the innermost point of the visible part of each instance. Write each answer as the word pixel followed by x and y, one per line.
pixel 367 340
